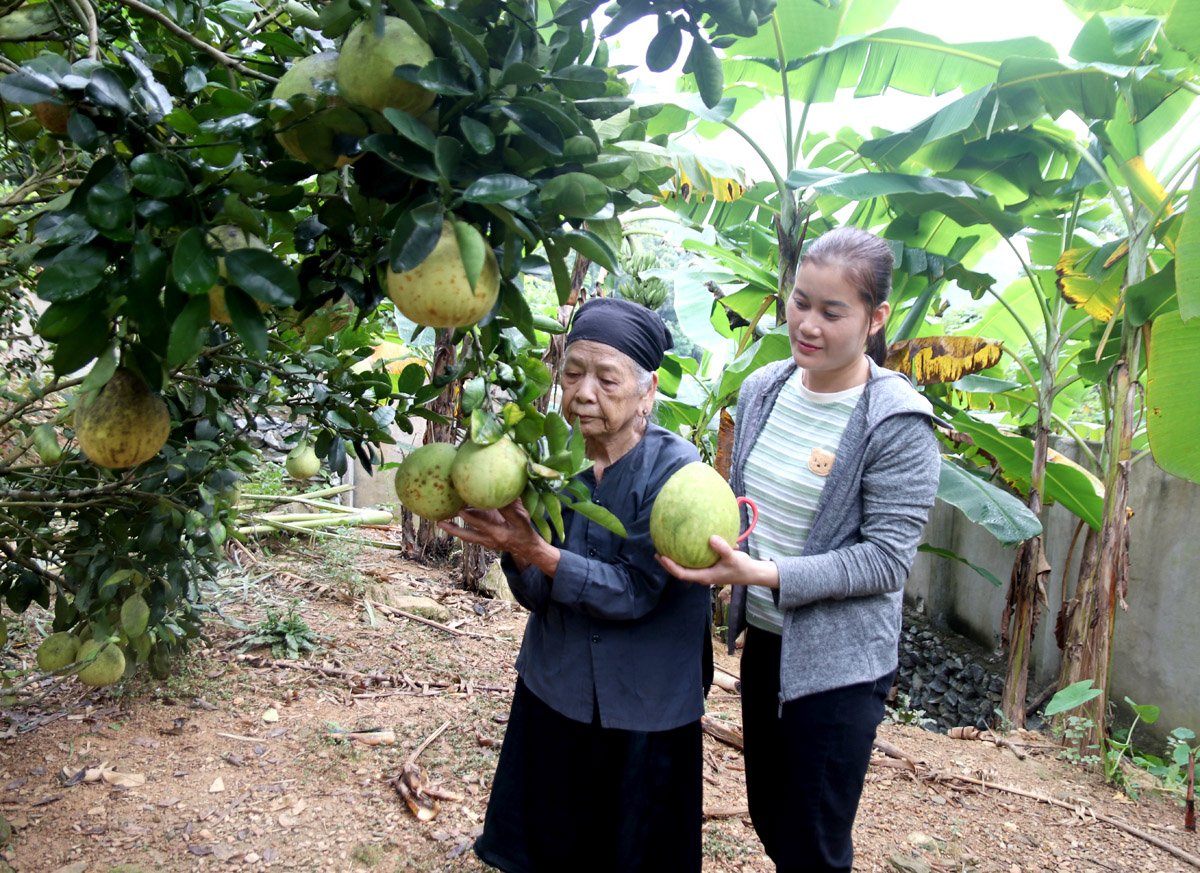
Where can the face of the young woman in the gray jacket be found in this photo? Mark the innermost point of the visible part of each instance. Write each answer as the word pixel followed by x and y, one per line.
pixel 829 324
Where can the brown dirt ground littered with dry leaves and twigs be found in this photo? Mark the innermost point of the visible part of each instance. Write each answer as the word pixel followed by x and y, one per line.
pixel 241 762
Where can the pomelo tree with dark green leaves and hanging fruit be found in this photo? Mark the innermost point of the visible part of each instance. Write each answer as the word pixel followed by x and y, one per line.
pixel 135 130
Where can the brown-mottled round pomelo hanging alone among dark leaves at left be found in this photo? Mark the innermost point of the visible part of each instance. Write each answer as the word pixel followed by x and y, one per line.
pixel 124 425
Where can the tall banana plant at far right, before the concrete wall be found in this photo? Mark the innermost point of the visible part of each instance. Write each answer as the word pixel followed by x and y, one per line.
pixel 1131 83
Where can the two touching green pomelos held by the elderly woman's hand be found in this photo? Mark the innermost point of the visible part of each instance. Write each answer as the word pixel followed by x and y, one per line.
pixel 437 480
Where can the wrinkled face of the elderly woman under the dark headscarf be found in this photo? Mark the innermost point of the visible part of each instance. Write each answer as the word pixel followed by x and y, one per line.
pixel 601 392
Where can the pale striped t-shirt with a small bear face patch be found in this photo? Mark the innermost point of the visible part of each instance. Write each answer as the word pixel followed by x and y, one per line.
pixel 785 474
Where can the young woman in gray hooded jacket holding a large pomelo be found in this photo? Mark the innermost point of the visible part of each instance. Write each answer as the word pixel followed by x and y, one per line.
pixel 841 457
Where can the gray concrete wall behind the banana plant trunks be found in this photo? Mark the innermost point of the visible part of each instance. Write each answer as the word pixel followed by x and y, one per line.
pixel 1157 640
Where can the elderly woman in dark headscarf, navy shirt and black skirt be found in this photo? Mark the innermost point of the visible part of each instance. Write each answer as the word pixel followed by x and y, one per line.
pixel 601 768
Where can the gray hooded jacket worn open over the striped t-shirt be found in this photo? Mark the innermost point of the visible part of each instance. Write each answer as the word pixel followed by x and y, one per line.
pixel 842 598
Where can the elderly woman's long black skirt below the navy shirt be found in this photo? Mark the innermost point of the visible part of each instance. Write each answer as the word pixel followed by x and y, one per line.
pixel 577 798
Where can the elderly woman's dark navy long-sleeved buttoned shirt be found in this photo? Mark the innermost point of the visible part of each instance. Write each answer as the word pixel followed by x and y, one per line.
pixel 613 633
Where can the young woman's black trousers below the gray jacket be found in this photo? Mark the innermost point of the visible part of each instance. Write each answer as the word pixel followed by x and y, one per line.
pixel 806 761
